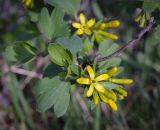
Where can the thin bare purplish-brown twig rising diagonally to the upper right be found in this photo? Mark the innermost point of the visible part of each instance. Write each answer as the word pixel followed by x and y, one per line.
pixel 130 43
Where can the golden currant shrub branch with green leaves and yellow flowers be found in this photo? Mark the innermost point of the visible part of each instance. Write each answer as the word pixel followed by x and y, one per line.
pixel 81 51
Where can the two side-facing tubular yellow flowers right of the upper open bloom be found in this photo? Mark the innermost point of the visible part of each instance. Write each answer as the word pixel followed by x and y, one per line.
pixel 100 34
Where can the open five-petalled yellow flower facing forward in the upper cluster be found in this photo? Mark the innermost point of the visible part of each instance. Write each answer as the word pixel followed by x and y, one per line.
pixel 84 27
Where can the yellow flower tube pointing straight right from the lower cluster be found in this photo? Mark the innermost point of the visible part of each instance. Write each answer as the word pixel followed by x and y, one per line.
pixel 121 81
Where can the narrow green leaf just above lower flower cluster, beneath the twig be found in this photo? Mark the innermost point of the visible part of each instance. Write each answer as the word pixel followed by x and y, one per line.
pixel 113 62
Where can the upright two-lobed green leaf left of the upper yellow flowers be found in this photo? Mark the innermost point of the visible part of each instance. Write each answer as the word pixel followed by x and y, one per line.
pixel 53 26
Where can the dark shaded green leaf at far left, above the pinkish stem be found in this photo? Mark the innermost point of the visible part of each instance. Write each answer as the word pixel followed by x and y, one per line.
pixel 24 52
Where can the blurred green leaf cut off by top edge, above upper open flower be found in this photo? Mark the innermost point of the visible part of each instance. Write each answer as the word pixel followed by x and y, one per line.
pixel 69 6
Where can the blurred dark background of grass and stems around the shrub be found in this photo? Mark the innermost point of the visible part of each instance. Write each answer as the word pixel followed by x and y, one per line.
pixel 140 110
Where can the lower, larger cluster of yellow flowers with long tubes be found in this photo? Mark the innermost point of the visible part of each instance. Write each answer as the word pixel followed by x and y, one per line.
pixel 97 91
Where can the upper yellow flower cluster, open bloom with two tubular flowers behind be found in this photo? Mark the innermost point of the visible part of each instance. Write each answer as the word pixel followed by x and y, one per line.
pixel 90 27
